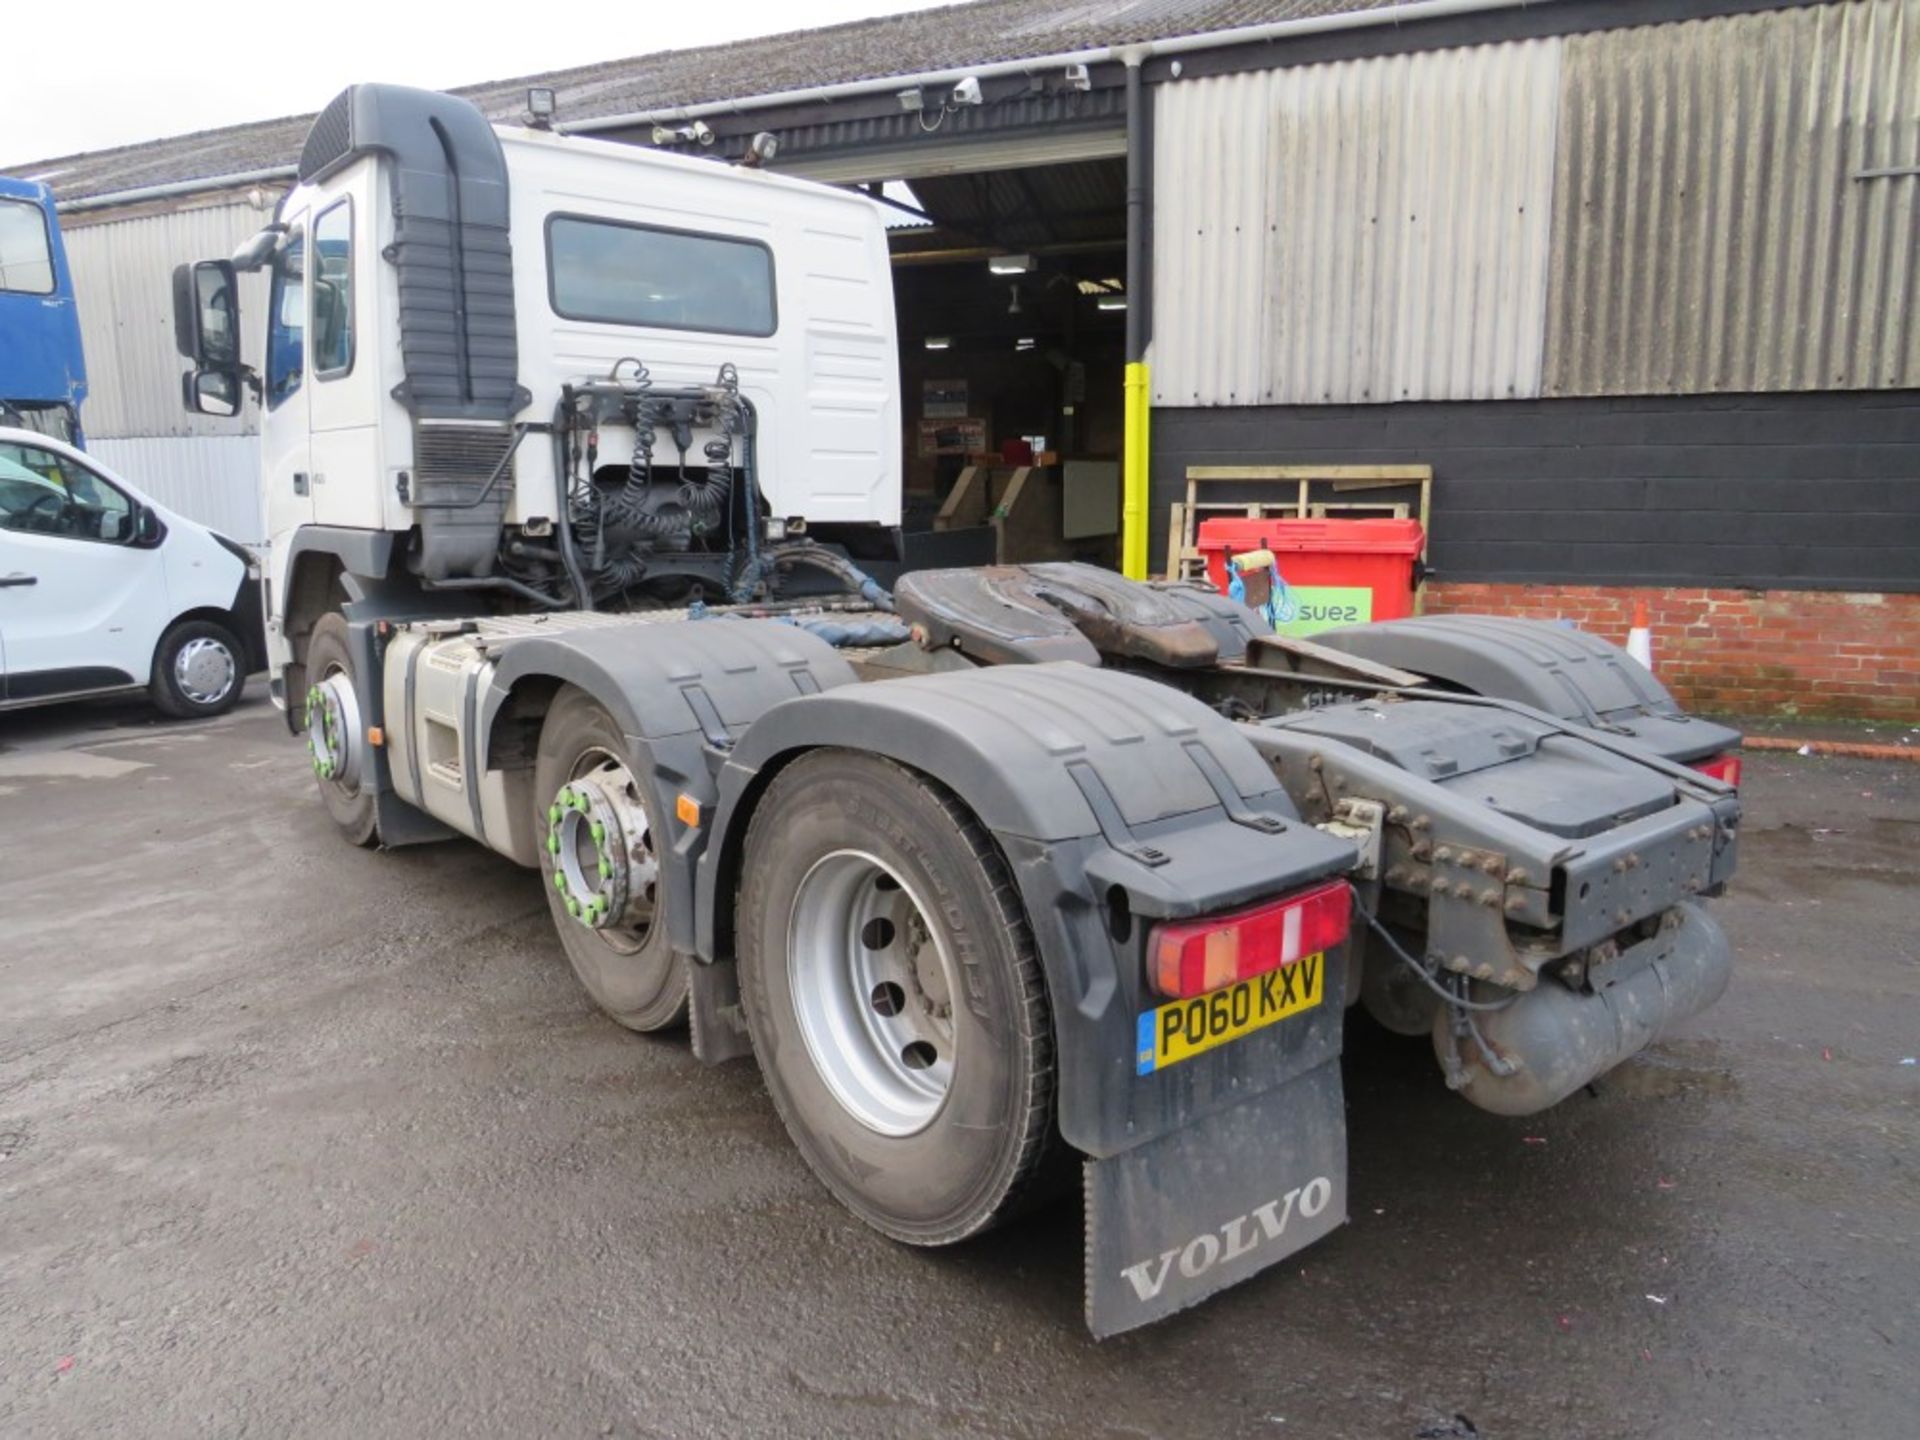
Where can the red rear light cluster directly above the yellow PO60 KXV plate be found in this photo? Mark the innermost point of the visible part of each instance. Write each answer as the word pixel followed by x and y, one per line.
pixel 1205 955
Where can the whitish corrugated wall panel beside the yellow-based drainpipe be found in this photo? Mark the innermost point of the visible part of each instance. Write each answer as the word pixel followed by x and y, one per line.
pixel 1362 231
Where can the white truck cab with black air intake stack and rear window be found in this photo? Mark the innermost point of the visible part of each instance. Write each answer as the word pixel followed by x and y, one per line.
pixel 448 324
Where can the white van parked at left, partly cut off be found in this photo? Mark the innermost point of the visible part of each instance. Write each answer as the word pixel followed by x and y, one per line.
pixel 103 590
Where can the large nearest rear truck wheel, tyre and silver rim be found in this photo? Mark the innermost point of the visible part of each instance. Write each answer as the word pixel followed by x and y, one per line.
pixel 894 997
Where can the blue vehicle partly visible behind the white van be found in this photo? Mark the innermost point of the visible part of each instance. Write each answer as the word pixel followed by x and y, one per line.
pixel 43 372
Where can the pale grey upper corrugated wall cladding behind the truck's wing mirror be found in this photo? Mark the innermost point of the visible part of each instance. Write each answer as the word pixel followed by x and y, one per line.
pixel 124 281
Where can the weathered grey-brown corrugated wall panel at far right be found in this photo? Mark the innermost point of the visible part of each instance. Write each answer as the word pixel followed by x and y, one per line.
pixel 1714 229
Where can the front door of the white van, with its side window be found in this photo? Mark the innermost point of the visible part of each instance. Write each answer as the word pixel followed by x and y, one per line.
pixel 84 594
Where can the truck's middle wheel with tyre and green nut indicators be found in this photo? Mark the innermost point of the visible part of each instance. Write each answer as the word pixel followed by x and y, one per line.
pixel 604 878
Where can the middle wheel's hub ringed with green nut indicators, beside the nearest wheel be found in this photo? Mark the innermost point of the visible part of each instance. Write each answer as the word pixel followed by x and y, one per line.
pixel 602 853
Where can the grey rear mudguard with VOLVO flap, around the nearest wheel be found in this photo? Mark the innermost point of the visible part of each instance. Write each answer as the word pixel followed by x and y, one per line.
pixel 1118 804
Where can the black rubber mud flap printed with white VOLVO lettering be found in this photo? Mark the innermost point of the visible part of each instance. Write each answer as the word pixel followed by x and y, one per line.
pixel 1189 1214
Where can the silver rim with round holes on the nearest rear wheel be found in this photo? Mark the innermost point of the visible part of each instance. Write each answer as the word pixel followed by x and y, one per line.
pixel 873 988
